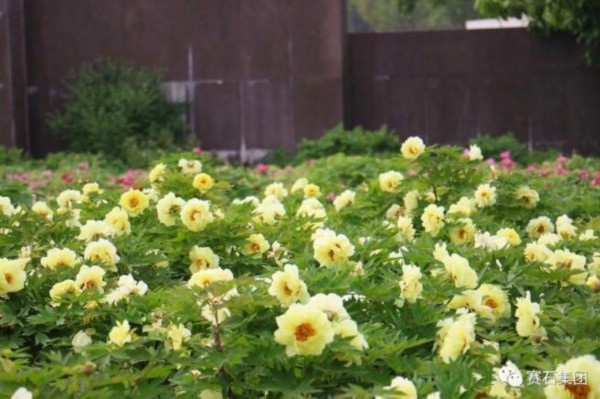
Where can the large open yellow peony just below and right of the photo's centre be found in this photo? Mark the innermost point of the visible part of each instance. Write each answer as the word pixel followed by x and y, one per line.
pixel 331 249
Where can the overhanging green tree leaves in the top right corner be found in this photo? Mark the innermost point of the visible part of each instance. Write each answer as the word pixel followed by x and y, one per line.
pixel 580 18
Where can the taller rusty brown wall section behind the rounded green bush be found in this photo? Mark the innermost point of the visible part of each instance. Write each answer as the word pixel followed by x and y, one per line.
pixel 252 69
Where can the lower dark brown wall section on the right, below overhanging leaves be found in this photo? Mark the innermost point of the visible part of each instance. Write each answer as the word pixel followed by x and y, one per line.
pixel 451 85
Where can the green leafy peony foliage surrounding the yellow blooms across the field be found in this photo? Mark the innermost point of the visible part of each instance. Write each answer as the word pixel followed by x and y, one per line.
pixel 238 356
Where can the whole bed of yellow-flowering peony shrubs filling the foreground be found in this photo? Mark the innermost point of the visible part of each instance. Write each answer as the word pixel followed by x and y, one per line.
pixel 417 275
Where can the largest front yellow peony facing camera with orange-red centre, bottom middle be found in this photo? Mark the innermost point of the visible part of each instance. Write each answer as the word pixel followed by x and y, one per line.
pixel 304 330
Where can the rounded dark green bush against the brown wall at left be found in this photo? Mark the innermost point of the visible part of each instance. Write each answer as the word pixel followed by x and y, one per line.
pixel 117 110
